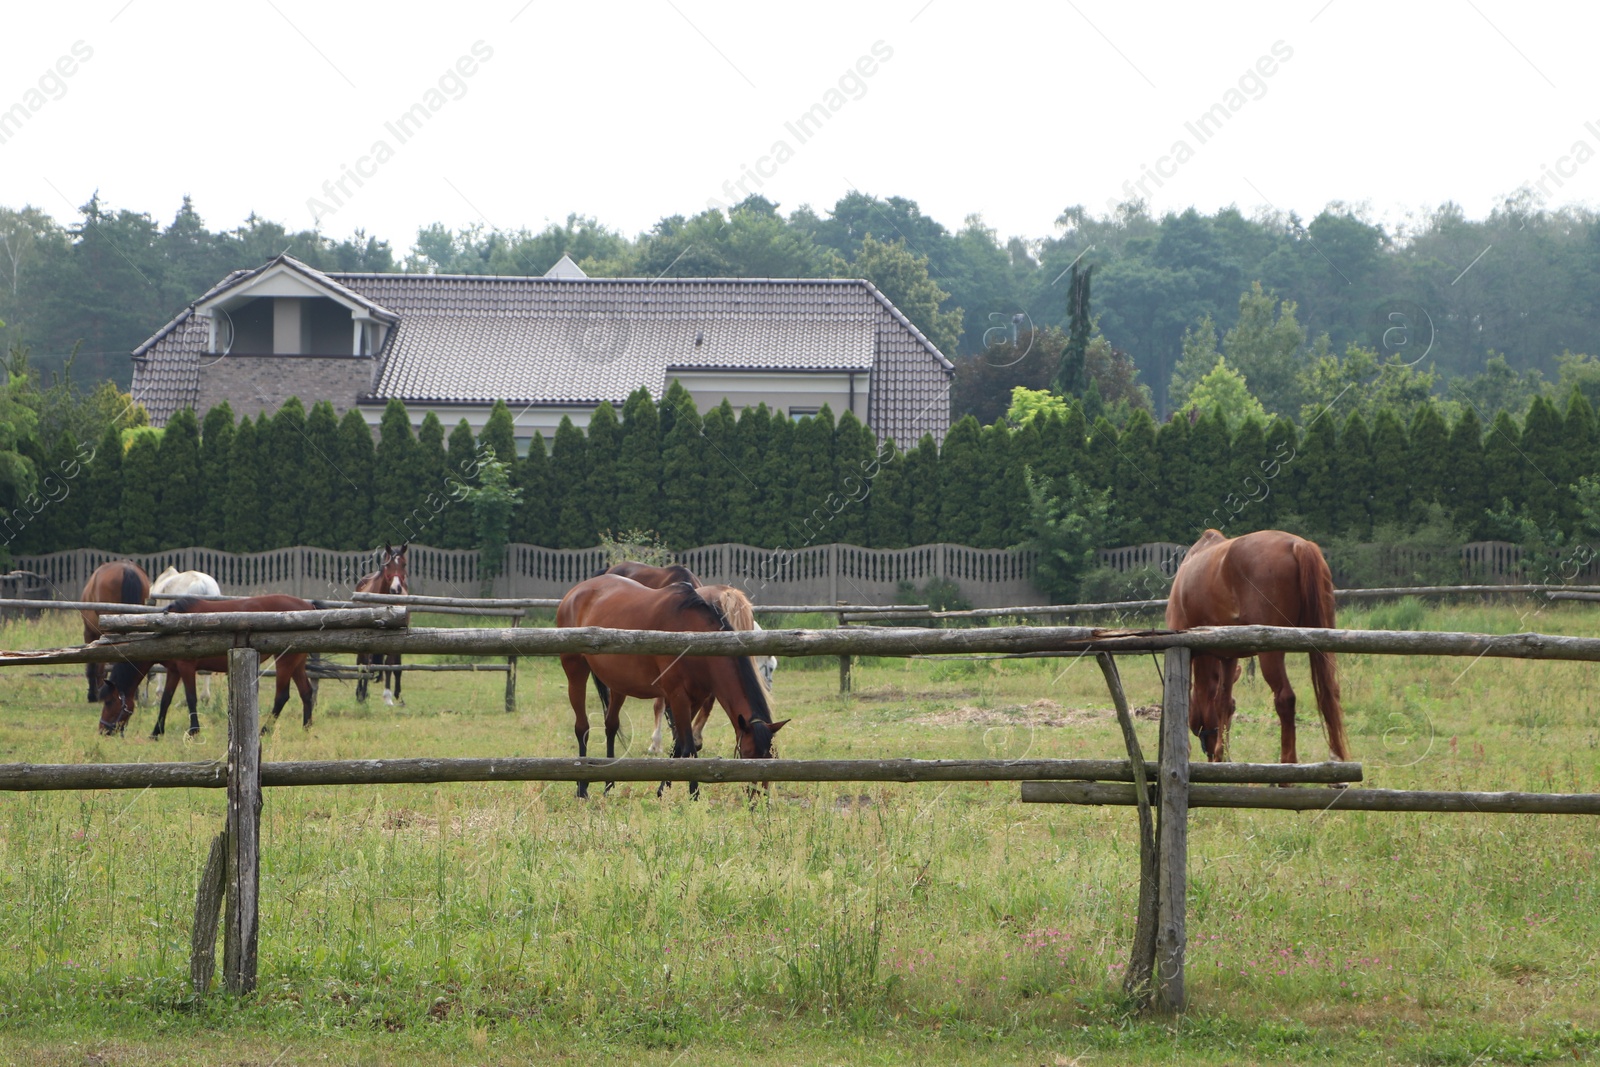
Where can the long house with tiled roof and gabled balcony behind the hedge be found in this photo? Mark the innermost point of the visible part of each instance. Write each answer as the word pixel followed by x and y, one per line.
pixel 550 346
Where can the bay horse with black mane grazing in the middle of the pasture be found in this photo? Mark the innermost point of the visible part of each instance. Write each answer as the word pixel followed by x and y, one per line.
pixel 614 601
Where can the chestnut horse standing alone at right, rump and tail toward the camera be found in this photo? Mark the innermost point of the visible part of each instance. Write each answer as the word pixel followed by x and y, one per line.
pixel 1268 578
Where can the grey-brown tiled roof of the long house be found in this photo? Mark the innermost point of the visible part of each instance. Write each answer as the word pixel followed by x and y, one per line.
pixel 473 338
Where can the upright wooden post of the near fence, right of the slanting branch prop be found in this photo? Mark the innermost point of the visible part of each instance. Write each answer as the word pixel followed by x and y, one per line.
pixel 1174 834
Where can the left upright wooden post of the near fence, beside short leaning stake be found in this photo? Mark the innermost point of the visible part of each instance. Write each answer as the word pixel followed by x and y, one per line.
pixel 244 821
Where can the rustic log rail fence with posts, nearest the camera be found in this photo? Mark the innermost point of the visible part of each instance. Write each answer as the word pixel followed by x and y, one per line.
pixel 1162 793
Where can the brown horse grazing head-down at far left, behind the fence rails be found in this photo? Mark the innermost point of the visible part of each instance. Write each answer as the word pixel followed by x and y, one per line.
pixel 121 690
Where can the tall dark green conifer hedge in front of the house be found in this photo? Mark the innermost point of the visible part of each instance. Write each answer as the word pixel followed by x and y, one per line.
pixel 764 479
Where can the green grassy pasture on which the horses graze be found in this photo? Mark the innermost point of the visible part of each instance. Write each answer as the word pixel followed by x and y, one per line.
pixel 511 924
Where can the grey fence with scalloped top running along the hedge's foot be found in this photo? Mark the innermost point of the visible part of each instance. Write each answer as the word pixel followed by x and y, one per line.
pixel 828 573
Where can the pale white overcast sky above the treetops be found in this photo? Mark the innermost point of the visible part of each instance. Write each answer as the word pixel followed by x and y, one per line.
pixel 633 111
